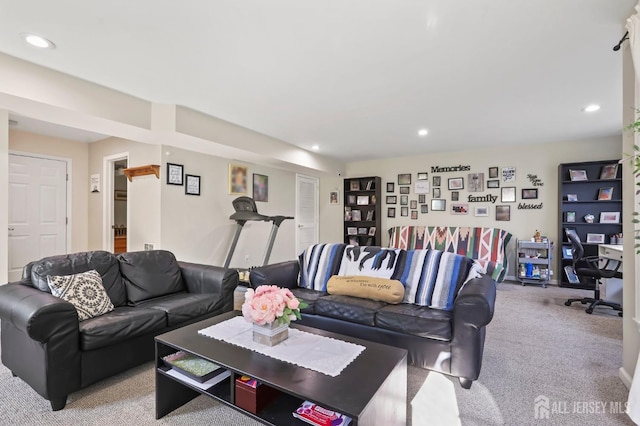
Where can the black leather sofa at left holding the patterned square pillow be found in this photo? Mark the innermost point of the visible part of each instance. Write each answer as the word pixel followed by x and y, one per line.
pixel 45 344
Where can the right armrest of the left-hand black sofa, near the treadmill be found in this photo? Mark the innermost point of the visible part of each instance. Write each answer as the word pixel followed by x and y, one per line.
pixel 217 280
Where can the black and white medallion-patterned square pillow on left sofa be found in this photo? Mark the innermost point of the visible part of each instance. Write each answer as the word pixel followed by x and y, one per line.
pixel 84 291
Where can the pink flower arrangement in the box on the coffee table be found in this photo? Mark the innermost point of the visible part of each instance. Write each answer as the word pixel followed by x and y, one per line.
pixel 269 303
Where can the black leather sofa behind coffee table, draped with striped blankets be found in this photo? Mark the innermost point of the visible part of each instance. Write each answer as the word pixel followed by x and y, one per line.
pixel 450 342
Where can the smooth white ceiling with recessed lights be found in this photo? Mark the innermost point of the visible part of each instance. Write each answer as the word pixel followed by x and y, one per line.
pixel 358 77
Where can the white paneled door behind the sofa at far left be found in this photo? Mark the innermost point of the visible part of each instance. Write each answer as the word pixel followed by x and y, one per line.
pixel 37 210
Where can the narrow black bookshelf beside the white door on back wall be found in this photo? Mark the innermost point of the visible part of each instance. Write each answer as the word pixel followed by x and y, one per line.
pixel 362 212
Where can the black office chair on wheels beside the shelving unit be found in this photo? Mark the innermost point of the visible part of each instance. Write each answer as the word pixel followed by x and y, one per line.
pixel 592 270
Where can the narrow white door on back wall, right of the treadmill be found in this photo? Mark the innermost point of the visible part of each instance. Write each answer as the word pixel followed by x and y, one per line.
pixel 306 212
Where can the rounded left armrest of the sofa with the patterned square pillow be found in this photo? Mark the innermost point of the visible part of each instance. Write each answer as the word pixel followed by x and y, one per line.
pixel 36 313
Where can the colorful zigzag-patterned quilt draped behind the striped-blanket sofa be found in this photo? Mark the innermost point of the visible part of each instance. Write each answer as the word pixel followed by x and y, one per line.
pixel 487 246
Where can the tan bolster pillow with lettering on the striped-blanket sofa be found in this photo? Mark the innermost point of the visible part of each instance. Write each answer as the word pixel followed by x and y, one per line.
pixel 384 290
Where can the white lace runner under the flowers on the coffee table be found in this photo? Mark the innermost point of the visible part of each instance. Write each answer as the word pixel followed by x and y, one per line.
pixel 319 353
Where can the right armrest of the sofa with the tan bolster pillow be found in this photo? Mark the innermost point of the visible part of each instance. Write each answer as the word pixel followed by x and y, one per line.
pixel 475 302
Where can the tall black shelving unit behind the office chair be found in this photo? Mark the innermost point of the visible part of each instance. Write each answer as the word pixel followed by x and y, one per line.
pixel 580 187
